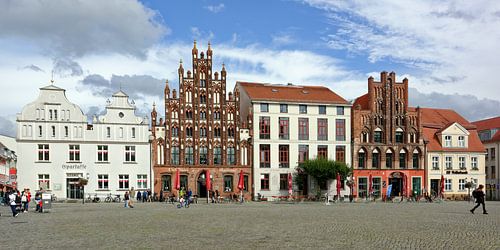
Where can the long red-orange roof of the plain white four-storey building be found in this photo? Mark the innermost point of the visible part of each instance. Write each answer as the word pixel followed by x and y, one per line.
pixel 290 93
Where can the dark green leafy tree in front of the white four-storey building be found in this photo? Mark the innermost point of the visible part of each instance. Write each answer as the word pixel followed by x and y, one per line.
pixel 323 170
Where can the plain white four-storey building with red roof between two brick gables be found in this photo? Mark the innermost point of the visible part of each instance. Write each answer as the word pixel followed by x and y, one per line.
pixel 291 124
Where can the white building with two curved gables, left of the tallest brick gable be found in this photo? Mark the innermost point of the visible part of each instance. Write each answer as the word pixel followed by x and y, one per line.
pixel 56 147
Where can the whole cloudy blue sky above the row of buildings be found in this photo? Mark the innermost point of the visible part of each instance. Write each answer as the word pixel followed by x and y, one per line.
pixel 449 50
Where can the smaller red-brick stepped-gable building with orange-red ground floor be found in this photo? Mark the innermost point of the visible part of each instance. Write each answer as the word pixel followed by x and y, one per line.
pixel 387 139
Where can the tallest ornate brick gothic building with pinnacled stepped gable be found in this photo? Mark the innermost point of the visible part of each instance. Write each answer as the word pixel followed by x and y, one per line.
pixel 201 131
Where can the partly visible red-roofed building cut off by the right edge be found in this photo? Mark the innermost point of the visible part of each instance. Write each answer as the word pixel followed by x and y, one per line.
pixel 489 133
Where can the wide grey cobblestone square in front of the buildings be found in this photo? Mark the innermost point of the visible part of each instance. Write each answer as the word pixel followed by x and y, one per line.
pixel 447 225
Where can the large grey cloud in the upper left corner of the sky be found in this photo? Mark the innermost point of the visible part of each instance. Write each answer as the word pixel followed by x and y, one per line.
pixel 76 28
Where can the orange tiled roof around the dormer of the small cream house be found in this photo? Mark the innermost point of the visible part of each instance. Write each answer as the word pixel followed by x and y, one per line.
pixel 436 120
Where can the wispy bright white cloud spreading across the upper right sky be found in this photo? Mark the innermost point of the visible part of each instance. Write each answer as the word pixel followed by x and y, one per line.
pixel 451 45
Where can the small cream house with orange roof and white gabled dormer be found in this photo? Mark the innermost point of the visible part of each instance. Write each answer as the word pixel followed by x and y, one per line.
pixel 454 153
